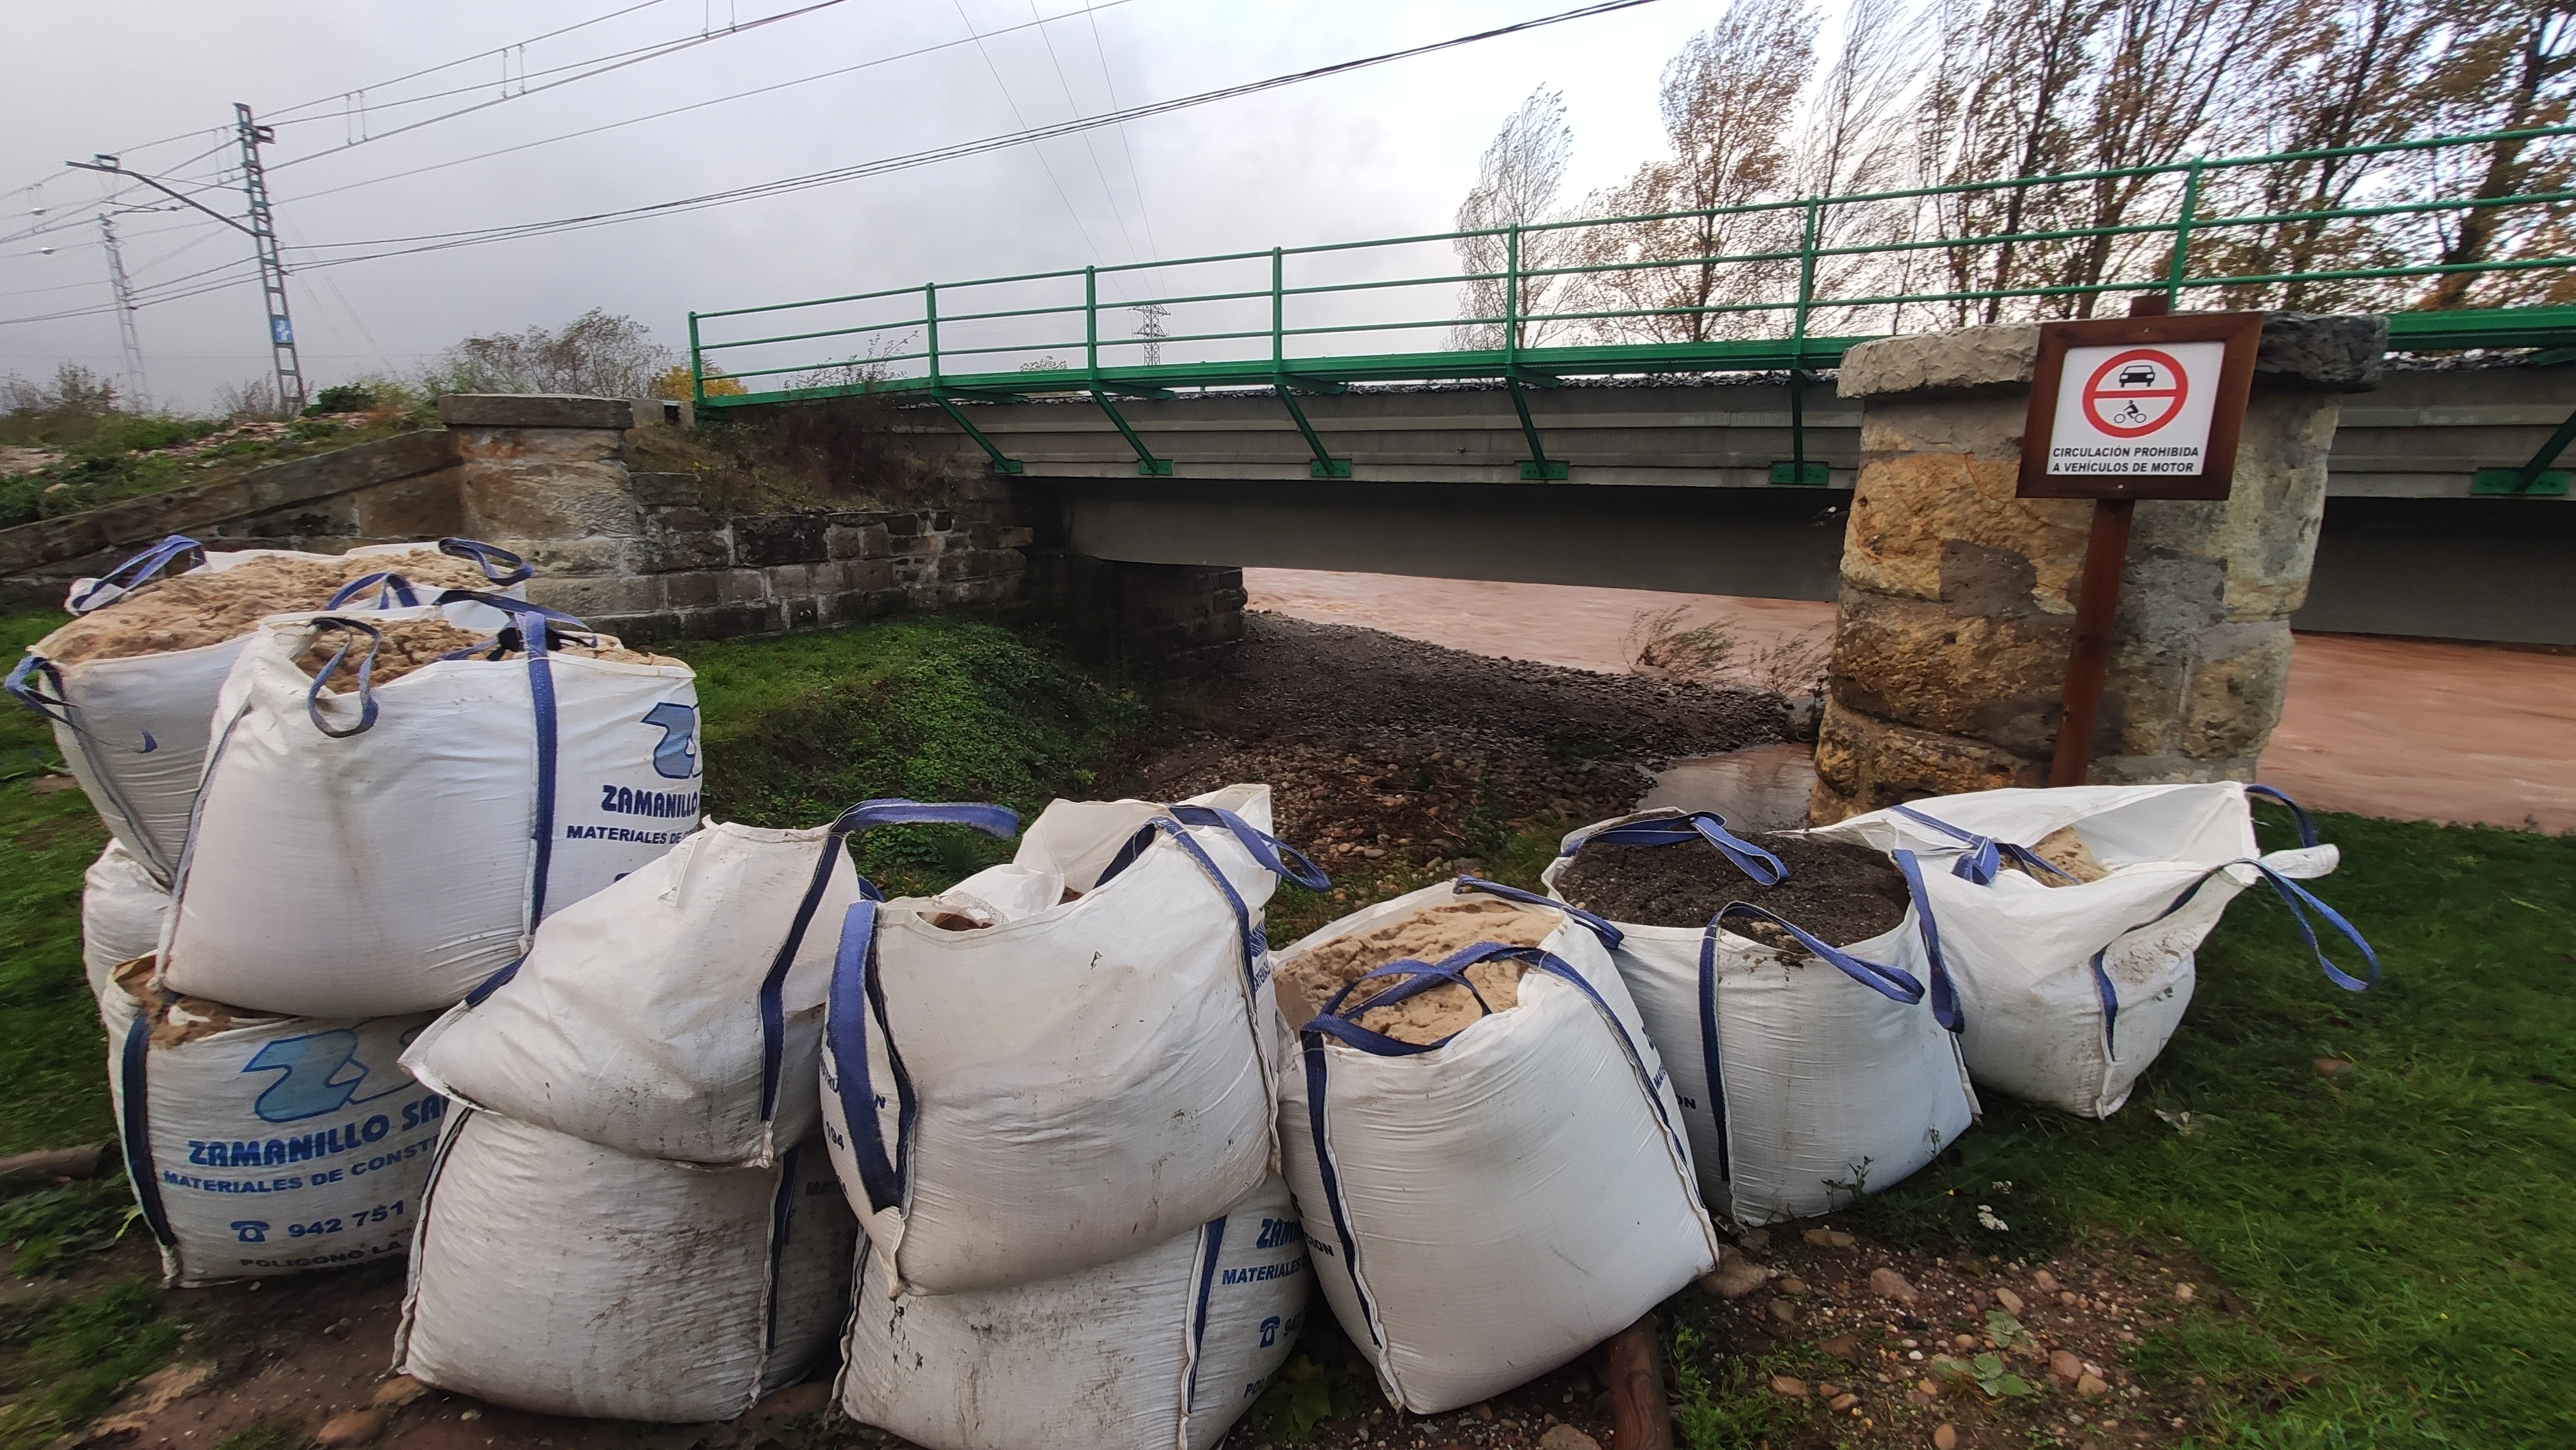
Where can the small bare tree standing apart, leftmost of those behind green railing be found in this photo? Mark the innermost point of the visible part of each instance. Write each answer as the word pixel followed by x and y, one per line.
pixel 1516 187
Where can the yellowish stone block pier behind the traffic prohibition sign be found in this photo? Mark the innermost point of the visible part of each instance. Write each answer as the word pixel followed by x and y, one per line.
pixel 1956 604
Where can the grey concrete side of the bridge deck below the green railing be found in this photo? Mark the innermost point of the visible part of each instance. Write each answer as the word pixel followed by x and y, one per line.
pixel 1668 488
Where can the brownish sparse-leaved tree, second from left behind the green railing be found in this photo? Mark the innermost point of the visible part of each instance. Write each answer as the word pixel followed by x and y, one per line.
pixel 1714 256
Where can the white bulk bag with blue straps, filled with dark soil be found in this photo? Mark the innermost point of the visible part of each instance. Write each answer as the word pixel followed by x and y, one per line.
pixel 1807 1073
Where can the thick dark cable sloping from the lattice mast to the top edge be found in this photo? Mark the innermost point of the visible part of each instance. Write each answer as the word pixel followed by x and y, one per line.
pixel 934 156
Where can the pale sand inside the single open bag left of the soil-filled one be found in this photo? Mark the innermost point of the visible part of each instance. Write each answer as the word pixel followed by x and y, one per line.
pixel 1312 977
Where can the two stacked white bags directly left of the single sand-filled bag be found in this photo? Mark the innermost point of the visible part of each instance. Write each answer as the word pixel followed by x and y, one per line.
pixel 1050 1096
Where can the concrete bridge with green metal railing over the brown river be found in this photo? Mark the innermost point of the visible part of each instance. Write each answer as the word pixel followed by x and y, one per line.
pixel 1689 442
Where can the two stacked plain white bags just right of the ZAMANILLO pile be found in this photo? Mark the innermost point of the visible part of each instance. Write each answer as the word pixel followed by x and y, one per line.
pixel 635 1214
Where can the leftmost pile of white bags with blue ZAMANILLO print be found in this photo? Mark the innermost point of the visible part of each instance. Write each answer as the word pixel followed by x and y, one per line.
pixel 339 810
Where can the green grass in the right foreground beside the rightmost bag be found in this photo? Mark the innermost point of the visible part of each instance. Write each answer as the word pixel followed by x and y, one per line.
pixel 2400 1230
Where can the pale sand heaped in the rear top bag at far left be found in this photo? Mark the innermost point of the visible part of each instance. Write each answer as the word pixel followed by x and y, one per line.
pixel 189 612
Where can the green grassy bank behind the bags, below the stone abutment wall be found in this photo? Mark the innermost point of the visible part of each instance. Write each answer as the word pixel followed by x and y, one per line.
pixel 934 710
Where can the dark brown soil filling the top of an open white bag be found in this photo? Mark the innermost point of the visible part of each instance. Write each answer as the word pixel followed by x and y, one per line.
pixel 1835 892
